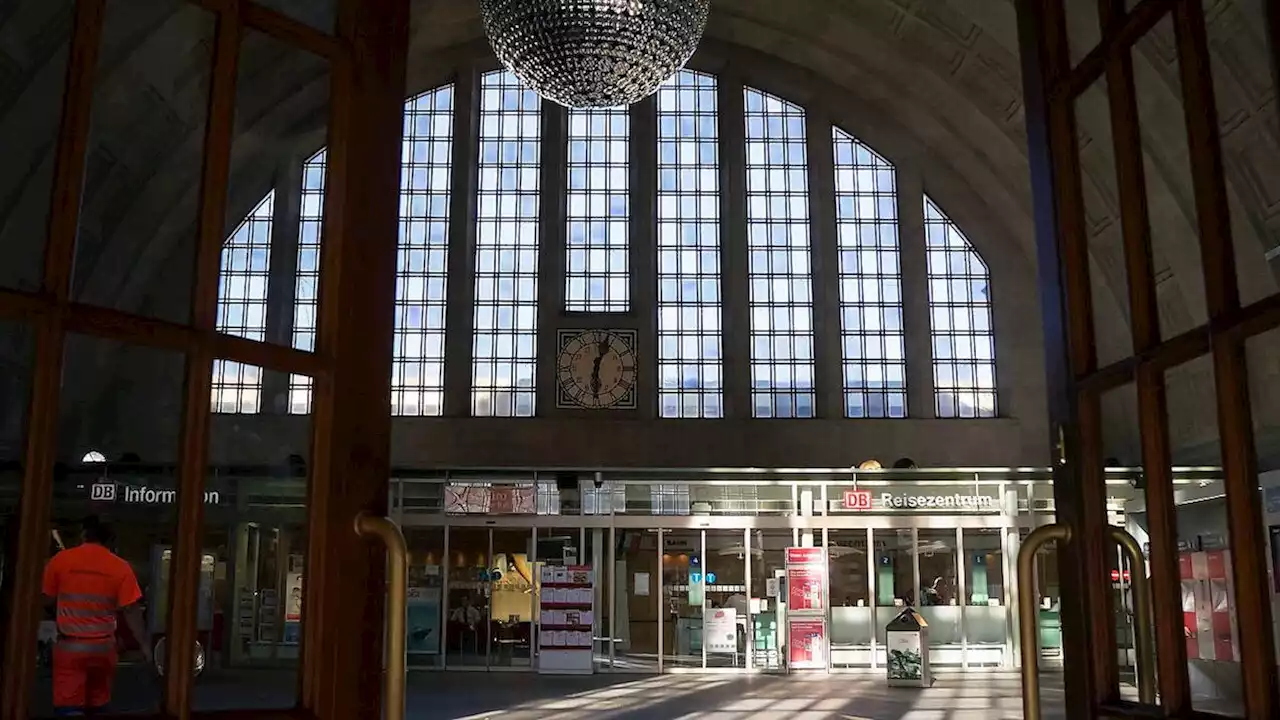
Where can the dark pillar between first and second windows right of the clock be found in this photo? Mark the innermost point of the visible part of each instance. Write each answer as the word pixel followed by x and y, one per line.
pixel 735 259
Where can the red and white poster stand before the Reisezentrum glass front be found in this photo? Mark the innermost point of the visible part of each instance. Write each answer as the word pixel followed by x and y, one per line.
pixel 807 608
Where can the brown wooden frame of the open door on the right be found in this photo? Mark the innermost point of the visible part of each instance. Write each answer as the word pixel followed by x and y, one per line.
pixel 1076 381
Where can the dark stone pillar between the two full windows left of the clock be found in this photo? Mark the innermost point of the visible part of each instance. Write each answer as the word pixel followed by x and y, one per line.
pixel 460 291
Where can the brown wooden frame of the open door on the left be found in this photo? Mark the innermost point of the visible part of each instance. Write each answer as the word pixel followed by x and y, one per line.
pixel 341 671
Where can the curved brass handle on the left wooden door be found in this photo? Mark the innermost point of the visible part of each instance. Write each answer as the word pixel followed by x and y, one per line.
pixel 397 608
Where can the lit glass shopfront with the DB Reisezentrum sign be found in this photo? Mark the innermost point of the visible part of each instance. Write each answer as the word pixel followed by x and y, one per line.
pixel 691 569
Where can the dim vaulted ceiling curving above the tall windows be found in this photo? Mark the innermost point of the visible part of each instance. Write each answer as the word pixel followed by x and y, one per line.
pixel 943 74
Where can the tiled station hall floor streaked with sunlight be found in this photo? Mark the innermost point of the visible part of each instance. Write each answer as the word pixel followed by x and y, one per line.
pixel 522 696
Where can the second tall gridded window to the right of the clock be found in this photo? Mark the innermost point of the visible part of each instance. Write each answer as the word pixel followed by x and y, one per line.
pixel 778 240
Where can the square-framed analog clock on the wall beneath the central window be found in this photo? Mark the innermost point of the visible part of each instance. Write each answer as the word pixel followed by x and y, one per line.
pixel 597 370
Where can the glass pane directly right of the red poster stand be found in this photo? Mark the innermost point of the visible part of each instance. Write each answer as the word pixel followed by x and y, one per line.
pixel 852 608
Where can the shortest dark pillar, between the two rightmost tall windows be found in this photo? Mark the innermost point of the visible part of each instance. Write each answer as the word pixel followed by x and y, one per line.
pixel 916 291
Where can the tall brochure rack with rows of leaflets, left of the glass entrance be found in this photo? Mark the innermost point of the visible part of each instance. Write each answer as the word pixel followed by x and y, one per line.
pixel 566 618
